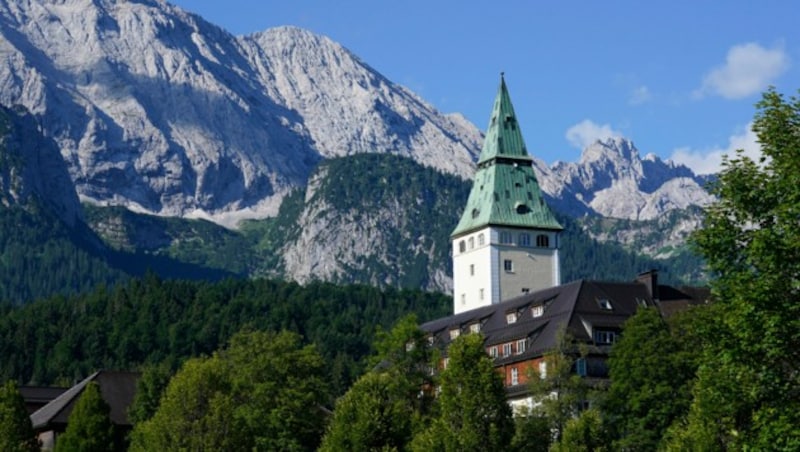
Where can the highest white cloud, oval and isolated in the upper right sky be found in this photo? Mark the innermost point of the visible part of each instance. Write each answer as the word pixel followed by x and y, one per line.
pixel 748 69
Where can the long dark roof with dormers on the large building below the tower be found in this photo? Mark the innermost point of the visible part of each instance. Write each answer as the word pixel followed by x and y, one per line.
pixel 576 306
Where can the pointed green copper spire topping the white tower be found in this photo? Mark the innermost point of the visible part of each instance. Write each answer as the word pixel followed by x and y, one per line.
pixel 505 191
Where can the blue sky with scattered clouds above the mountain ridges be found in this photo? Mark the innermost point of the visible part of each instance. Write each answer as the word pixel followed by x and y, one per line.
pixel 679 78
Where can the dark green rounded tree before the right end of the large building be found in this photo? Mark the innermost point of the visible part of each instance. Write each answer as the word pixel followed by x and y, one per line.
pixel 652 368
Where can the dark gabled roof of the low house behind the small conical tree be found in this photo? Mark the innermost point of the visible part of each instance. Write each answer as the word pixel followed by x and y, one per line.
pixel 117 389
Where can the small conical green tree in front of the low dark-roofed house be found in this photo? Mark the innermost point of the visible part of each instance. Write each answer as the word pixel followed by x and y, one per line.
pixel 89 428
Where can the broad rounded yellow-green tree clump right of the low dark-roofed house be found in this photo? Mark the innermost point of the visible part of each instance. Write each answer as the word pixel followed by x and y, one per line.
pixel 265 391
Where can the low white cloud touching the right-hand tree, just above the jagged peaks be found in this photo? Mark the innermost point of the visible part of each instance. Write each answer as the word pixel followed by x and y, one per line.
pixel 710 161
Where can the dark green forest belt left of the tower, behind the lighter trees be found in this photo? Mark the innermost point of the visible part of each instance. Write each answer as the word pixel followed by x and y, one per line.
pixel 149 321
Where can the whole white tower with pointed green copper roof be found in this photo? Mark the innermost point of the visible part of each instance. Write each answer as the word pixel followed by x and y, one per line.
pixel 506 242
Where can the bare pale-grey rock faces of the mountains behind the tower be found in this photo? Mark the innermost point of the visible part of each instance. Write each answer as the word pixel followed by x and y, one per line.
pixel 154 109
